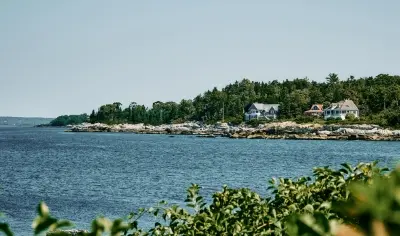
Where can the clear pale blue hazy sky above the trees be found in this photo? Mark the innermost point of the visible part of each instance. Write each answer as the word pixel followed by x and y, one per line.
pixel 68 57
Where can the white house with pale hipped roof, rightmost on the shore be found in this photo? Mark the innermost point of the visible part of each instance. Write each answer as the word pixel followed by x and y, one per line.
pixel 341 109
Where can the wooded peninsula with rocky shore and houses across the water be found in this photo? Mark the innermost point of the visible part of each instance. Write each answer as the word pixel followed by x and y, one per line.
pixel 364 108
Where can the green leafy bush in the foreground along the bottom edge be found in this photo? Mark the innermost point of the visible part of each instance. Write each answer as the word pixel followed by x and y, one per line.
pixel 361 200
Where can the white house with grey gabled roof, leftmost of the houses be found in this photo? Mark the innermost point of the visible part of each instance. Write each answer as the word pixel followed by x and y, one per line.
pixel 263 111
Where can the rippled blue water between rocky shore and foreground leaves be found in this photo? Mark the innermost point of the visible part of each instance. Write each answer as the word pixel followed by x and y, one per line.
pixel 83 175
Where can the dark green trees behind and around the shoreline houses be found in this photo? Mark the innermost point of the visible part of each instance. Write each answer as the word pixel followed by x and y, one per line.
pixel 376 97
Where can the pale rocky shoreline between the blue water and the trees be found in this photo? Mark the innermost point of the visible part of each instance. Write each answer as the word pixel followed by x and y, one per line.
pixel 275 130
